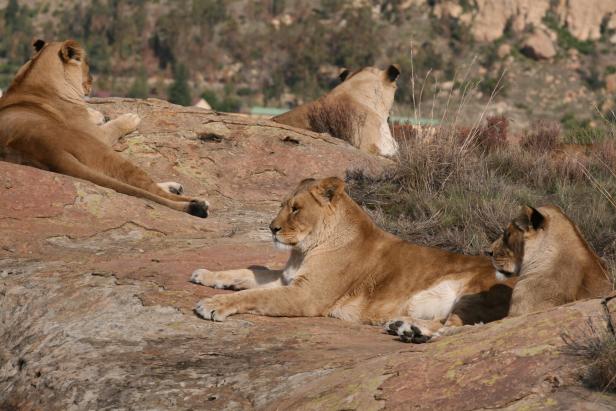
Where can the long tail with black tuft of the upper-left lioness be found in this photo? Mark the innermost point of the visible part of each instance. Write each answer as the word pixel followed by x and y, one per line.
pixel 69 165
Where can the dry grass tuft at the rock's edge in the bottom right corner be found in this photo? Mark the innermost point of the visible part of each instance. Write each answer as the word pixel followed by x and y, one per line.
pixel 597 345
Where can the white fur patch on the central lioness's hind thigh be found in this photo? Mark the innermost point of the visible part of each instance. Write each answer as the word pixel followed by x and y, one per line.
pixel 436 302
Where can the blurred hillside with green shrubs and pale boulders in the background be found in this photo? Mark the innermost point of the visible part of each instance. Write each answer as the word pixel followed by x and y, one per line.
pixel 546 59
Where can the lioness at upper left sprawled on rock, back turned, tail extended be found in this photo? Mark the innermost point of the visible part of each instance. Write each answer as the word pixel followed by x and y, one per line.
pixel 45 119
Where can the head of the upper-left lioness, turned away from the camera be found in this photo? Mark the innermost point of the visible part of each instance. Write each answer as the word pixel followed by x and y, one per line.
pixel 59 65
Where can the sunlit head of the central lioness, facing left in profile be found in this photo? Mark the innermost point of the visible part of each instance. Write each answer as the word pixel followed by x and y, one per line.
pixel 305 213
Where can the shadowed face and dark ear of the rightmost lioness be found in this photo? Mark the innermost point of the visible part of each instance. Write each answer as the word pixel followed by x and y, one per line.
pixel 508 250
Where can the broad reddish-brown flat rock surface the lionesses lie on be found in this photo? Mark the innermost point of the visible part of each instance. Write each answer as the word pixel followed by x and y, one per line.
pixel 96 307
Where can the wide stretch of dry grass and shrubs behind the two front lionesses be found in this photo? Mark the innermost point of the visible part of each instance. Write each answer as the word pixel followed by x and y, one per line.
pixel 459 187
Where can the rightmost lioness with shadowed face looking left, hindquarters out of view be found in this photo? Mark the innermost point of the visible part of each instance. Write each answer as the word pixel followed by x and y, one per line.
pixel 553 261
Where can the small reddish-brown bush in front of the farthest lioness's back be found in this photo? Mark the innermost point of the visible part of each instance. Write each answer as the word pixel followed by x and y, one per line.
pixel 338 120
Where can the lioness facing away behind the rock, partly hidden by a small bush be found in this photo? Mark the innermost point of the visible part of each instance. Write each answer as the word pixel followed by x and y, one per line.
pixel 364 100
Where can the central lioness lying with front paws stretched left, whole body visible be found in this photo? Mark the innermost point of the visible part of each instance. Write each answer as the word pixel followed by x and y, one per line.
pixel 342 265
